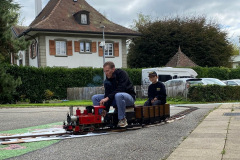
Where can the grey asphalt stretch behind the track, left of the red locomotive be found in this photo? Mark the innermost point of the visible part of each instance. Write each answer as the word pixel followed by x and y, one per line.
pixel 16 118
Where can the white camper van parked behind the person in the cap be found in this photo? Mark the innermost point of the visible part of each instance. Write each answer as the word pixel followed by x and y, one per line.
pixel 167 73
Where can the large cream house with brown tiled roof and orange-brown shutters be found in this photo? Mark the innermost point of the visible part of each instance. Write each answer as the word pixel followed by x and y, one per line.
pixel 71 33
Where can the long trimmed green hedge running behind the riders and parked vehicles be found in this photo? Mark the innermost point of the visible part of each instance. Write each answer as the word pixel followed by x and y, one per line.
pixel 35 81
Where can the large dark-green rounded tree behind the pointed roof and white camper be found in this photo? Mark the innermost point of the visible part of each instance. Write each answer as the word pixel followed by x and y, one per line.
pixel 202 42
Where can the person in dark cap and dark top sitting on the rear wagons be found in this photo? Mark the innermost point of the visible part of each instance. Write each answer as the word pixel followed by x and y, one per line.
pixel 156 91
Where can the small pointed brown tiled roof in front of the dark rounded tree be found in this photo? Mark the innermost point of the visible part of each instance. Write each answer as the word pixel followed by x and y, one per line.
pixel 180 60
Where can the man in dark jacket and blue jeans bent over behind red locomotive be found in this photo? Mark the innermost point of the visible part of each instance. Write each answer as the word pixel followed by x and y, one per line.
pixel 119 92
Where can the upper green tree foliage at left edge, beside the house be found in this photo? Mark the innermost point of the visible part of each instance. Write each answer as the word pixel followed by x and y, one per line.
pixel 8 18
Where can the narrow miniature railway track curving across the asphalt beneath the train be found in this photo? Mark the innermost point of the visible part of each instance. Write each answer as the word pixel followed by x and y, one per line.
pixel 21 138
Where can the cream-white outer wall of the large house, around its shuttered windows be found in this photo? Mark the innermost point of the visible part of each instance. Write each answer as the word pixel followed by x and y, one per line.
pixel 43 52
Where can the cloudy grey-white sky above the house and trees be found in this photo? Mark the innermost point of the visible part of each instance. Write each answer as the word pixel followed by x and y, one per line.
pixel 123 12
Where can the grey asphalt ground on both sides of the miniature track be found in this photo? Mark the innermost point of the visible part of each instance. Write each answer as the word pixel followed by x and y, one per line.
pixel 150 143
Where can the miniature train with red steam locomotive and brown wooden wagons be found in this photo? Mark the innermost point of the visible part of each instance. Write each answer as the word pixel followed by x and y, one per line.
pixel 91 118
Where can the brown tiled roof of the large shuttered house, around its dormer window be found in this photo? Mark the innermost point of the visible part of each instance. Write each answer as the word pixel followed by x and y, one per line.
pixel 57 16
